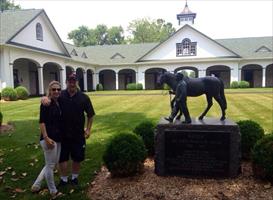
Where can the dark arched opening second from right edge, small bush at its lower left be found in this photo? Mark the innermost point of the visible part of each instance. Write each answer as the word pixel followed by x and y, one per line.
pixel 252 73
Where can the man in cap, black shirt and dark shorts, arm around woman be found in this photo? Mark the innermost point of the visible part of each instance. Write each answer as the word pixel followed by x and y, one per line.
pixel 74 104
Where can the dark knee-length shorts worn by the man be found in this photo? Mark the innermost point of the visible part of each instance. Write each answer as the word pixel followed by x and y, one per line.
pixel 74 149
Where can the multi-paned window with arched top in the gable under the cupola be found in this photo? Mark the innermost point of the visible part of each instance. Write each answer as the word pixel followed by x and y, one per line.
pixel 186 48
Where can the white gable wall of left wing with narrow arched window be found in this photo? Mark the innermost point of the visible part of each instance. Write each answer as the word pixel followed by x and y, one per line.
pixel 50 41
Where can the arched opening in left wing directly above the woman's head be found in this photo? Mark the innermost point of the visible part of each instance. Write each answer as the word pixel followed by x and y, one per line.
pixel 51 72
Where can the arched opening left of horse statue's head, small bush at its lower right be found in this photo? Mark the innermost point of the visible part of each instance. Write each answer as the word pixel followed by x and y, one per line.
pixel 126 76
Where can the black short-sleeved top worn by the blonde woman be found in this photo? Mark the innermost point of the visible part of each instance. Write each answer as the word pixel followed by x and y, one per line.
pixel 51 116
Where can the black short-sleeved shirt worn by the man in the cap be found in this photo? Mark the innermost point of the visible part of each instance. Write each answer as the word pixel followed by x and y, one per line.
pixel 73 109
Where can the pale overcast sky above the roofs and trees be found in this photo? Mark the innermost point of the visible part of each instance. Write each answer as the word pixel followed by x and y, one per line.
pixel 215 18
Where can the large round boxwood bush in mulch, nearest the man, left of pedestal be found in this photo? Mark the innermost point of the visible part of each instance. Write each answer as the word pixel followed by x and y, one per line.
pixel 124 155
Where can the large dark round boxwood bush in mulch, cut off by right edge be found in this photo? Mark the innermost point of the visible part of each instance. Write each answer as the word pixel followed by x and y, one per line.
pixel 262 157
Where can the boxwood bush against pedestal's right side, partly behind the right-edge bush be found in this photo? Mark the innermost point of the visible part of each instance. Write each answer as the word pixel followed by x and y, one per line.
pixel 251 132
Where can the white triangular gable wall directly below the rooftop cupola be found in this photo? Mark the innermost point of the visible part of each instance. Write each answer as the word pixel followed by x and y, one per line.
pixel 205 47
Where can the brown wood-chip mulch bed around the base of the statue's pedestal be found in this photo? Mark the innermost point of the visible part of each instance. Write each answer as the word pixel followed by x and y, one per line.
pixel 149 186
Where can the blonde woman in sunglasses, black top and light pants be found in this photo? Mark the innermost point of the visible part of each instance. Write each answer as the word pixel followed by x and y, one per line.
pixel 50 125
